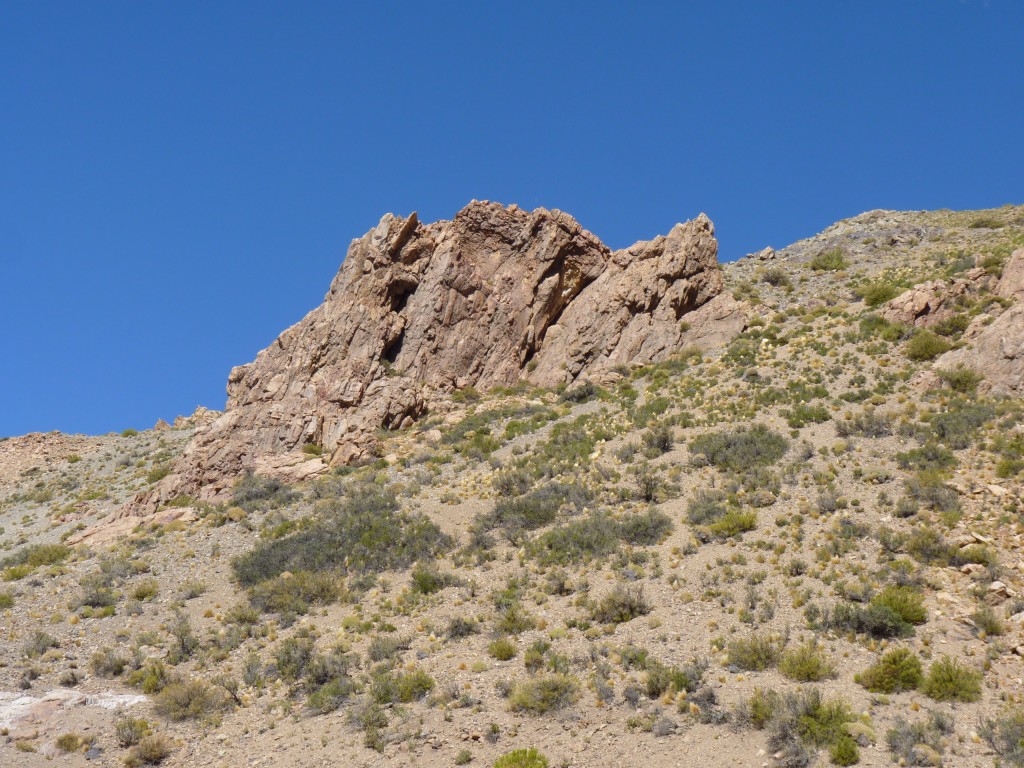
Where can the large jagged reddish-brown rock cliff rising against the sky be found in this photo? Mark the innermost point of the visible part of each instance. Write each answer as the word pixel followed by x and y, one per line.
pixel 417 311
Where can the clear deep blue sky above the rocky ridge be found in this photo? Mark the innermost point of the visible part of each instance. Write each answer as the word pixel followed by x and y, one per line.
pixel 181 181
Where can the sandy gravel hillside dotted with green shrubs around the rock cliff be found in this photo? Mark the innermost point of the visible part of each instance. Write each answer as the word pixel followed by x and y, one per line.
pixel 799 544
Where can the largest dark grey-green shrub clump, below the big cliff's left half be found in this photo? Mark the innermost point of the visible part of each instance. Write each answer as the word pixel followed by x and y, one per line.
pixel 364 533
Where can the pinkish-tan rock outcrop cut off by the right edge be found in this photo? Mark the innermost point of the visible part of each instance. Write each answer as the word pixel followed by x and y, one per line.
pixel 996 347
